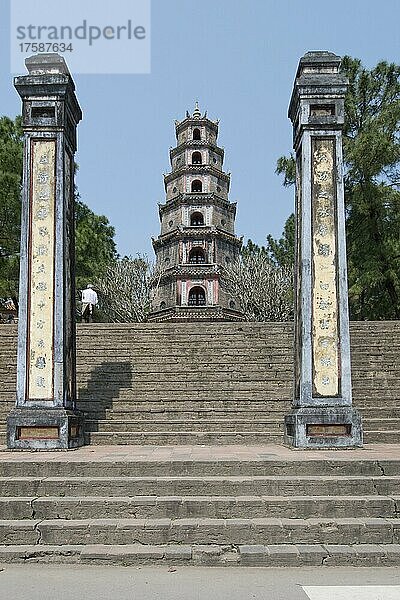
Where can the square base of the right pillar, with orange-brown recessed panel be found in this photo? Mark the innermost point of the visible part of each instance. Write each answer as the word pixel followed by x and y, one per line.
pixel 324 427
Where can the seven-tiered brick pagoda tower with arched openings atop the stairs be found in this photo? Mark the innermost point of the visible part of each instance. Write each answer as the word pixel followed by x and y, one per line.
pixel 197 237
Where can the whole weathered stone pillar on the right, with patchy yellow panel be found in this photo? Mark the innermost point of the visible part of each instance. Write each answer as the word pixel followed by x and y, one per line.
pixel 322 415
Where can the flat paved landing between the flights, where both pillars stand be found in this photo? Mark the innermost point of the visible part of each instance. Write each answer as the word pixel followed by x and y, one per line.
pixel 184 453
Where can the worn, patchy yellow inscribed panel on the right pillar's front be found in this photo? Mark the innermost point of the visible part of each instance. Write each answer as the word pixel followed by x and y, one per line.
pixel 324 265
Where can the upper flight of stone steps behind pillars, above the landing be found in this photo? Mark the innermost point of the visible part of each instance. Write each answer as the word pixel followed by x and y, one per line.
pixel 203 383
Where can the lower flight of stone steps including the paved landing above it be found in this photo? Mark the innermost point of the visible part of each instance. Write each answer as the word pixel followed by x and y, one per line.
pixel 265 506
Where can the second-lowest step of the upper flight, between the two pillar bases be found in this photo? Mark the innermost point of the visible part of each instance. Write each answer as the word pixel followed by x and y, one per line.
pixel 266 426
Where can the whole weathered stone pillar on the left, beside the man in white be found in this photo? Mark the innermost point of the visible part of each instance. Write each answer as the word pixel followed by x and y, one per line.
pixel 45 416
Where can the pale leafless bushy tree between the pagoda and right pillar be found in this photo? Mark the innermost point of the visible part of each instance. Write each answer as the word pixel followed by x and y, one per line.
pixel 264 290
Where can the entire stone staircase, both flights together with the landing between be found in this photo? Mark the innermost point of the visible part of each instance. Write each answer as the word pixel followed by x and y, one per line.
pixel 181 495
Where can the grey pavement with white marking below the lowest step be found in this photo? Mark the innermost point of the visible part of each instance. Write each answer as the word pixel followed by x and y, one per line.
pixel 44 582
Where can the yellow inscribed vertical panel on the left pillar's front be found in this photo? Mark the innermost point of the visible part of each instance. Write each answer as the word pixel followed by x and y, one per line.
pixel 41 273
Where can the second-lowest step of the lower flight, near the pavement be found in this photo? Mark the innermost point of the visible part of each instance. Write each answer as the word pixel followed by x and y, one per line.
pixel 201 531
